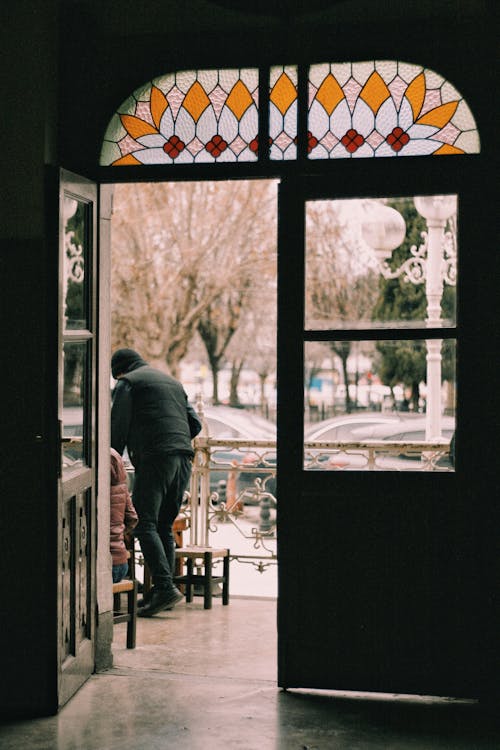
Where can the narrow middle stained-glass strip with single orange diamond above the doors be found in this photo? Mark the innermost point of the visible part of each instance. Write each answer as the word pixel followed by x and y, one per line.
pixel 283 112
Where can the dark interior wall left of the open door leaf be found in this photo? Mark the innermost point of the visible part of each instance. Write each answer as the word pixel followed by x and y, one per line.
pixel 28 296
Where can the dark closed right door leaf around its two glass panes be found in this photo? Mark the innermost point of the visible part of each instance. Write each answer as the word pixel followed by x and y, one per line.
pixel 381 573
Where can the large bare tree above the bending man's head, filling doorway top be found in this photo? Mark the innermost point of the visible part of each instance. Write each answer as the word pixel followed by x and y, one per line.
pixel 176 249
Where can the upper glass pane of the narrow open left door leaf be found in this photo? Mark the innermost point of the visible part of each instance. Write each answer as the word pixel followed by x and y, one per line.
pixel 76 253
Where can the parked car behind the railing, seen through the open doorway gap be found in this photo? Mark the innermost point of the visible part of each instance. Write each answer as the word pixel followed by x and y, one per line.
pixel 225 423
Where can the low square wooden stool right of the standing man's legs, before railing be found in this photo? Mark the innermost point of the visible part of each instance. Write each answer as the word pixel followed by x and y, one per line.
pixel 203 558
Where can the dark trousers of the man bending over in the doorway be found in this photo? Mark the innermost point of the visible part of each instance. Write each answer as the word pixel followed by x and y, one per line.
pixel 159 485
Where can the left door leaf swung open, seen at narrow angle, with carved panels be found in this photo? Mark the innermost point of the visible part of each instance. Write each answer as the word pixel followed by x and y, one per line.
pixel 77 407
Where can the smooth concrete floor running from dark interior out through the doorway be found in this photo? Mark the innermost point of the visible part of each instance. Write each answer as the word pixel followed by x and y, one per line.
pixel 206 679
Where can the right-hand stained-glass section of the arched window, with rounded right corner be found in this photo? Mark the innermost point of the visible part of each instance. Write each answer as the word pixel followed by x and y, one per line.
pixel 386 108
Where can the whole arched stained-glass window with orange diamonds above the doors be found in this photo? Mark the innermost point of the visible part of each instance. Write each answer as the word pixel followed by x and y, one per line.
pixel 364 109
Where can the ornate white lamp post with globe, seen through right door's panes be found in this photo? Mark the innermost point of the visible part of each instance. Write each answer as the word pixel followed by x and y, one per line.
pixel 433 263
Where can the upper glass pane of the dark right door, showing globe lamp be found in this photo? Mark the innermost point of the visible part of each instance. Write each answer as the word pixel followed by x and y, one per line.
pixel 373 263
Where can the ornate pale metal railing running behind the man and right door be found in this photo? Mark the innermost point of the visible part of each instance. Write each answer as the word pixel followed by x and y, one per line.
pixel 233 482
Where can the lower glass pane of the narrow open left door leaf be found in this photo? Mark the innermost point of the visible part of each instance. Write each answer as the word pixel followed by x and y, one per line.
pixel 75 428
